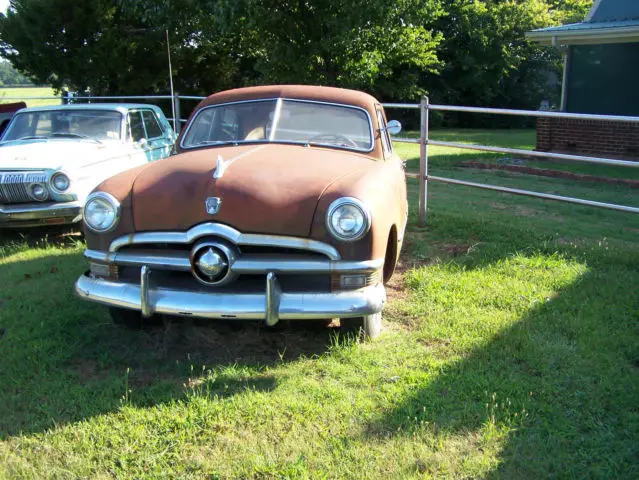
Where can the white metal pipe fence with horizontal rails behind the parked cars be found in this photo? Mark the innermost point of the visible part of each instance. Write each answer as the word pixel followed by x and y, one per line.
pixel 425 141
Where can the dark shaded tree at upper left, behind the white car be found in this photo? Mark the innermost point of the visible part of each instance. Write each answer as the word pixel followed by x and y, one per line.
pixel 109 47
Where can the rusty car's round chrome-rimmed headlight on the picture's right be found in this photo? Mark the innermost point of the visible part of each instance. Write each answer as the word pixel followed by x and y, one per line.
pixel 348 219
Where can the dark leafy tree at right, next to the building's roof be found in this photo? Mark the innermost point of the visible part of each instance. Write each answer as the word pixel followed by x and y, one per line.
pixel 487 60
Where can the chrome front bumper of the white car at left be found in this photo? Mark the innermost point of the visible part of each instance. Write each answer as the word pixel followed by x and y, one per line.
pixel 39 214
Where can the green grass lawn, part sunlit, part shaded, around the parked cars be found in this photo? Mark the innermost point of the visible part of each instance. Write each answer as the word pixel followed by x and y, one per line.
pixel 510 351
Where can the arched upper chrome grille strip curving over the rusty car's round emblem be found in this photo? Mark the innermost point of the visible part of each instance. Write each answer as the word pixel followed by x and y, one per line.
pixel 228 233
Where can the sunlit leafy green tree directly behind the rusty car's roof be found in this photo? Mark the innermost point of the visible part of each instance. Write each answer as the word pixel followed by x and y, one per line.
pixel 376 45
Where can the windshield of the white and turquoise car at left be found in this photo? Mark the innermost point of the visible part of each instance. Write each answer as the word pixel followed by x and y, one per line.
pixel 92 124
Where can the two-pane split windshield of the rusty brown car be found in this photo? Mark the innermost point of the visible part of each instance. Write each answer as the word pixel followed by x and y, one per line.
pixel 287 121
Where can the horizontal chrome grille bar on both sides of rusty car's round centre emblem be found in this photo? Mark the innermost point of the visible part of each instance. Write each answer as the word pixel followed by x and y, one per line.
pixel 246 264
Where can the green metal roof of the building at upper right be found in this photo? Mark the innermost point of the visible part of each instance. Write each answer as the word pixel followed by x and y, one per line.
pixel 609 21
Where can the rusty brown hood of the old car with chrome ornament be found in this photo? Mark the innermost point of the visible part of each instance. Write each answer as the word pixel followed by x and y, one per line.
pixel 265 188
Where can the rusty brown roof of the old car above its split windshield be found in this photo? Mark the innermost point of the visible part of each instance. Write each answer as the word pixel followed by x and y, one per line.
pixel 302 92
